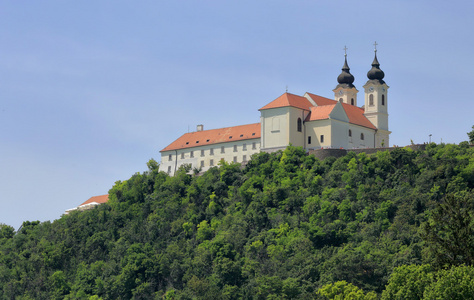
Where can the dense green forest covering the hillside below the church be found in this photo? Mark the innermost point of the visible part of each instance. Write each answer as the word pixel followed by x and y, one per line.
pixel 391 225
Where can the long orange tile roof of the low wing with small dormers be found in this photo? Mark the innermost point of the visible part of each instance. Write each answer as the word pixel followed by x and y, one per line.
pixel 215 136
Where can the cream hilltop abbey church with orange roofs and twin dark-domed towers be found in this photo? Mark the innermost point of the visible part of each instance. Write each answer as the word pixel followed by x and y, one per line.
pixel 309 121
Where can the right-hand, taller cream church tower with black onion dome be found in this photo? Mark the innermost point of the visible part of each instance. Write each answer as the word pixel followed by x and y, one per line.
pixel 376 102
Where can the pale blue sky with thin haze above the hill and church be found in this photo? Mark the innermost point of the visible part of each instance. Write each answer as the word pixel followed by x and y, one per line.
pixel 91 90
